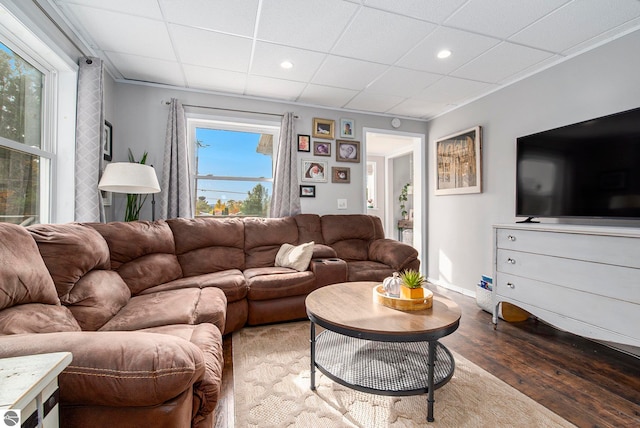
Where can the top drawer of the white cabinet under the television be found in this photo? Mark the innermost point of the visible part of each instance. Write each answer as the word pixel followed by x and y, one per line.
pixel 612 250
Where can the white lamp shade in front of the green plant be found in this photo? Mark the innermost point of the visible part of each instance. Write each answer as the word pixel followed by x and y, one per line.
pixel 129 177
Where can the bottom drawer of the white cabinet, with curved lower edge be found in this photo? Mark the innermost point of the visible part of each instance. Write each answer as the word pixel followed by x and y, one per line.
pixel 606 313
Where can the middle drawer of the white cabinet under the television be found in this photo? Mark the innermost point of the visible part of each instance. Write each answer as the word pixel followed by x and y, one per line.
pixel 617 282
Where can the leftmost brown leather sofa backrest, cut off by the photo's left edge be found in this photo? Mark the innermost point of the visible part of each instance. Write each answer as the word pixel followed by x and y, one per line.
pixel 28 298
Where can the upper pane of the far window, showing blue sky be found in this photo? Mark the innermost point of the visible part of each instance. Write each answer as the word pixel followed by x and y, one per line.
pixel 233 153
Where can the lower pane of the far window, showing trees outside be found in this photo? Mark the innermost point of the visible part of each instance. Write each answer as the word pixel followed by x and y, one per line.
pixel 231 197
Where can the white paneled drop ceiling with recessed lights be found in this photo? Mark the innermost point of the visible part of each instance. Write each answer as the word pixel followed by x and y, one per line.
pixel 375 56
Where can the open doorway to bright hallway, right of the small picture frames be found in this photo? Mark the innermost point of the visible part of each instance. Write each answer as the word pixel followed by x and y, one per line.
pixel 394 161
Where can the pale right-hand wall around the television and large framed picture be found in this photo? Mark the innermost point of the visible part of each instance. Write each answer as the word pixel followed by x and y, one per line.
pixel 596 83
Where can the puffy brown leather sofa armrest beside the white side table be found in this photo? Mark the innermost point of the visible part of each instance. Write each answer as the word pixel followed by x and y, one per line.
pixel 122 369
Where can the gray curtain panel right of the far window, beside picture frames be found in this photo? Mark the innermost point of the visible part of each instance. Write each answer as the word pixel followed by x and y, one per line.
pixel 286 197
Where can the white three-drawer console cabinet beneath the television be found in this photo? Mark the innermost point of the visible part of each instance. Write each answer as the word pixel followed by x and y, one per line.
pixel 582 279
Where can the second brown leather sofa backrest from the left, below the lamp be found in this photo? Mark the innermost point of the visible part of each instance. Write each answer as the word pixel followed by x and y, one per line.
pixel 77 258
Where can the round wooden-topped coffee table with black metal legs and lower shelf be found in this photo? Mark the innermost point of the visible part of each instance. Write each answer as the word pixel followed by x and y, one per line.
pixel 372 348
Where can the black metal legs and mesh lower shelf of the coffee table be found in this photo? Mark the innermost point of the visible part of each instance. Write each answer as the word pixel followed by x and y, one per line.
pixel 384 368
